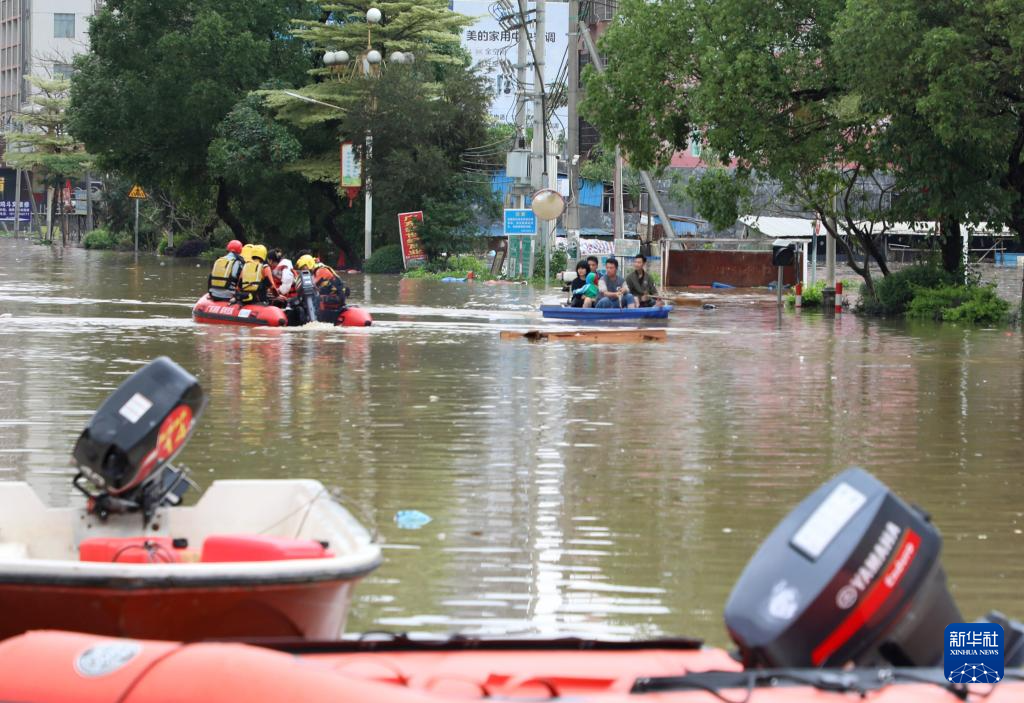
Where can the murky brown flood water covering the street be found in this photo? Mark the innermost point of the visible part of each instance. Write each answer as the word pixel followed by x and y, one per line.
pixel 604 490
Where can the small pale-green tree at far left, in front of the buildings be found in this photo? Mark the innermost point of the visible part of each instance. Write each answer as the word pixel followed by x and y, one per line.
pixel 45 146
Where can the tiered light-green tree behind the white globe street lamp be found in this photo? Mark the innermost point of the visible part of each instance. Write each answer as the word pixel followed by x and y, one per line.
pixel 423 117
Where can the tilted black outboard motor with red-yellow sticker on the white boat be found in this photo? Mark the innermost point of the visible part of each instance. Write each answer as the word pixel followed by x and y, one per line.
pixel 125 451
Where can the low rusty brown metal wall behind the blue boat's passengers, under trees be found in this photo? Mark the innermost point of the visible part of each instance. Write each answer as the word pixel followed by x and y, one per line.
pixel 743 270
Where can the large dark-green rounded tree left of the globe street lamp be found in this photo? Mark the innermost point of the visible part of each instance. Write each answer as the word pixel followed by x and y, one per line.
pixel 161 77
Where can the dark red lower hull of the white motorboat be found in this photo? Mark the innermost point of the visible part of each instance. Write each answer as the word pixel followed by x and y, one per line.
pixel 308 610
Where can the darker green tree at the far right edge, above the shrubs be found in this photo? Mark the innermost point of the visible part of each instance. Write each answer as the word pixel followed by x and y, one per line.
pixel 945 82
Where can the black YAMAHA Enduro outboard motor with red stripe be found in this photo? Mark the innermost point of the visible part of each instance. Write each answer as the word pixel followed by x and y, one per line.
pixel 851 576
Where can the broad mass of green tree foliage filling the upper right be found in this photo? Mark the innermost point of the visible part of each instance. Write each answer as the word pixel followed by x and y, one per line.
pixel 864 112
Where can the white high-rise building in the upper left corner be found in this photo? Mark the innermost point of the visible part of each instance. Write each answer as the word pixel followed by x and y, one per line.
pixel 38 38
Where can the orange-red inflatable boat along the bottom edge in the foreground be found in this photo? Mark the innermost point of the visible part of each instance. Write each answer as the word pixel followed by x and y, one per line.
pixel 52 667
